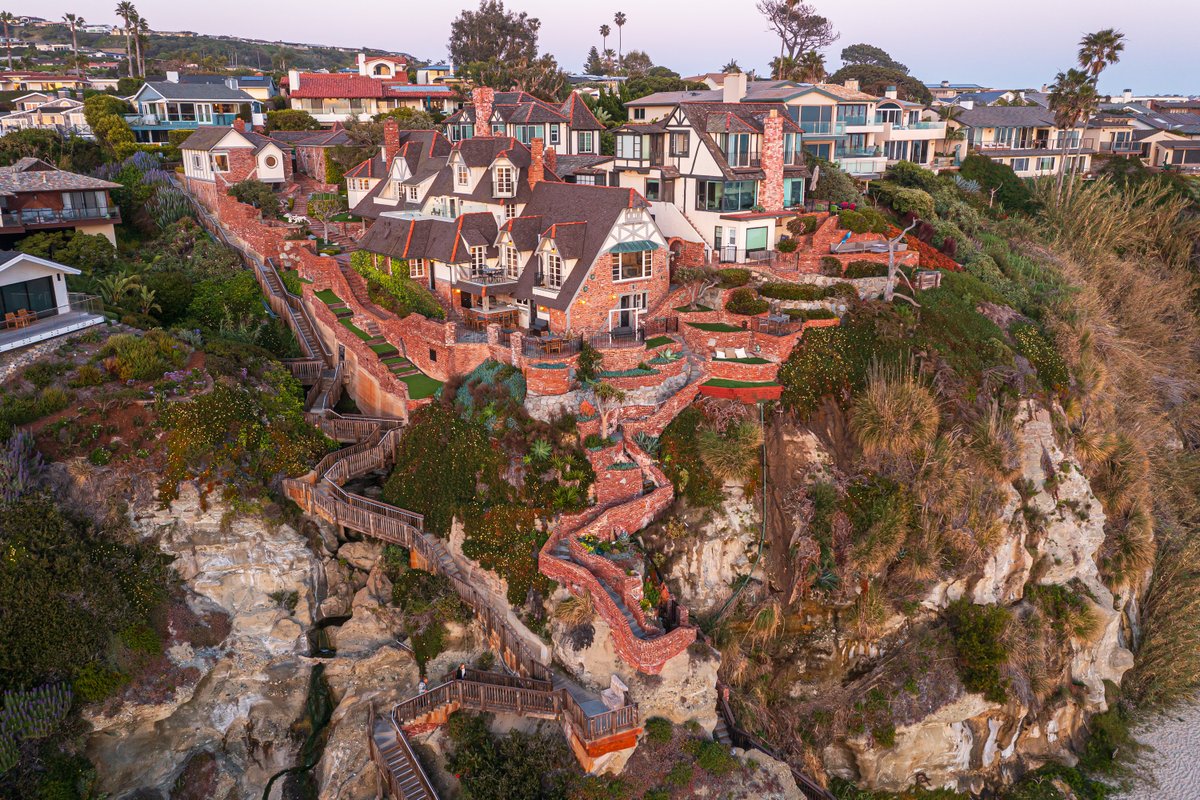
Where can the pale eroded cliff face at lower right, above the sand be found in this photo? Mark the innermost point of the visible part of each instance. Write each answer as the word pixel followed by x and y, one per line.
pixel 1052 537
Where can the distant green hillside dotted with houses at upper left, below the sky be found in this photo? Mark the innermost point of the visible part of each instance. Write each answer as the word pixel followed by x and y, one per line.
pixel 213 52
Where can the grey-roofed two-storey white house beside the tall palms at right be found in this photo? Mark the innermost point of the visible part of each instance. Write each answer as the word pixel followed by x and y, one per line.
pixel 1025 139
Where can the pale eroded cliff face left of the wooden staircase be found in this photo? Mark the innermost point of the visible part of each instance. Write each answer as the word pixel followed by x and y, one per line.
pixel 242 715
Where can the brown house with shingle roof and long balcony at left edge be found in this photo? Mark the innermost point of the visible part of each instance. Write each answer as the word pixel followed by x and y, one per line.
pixel 37 196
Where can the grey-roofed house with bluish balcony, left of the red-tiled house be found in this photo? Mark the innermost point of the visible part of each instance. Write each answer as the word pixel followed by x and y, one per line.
pixel 165 106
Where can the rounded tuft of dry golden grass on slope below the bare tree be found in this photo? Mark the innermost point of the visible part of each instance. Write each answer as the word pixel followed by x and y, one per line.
pixel 896 414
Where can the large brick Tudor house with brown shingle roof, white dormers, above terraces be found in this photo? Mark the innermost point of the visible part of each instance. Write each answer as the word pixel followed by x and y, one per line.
pixel 490 228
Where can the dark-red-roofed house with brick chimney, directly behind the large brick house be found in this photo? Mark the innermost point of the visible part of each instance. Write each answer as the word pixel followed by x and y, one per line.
pixel 569 129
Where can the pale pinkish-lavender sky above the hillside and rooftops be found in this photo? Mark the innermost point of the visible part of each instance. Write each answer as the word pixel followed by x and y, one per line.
pixel 1015 44
